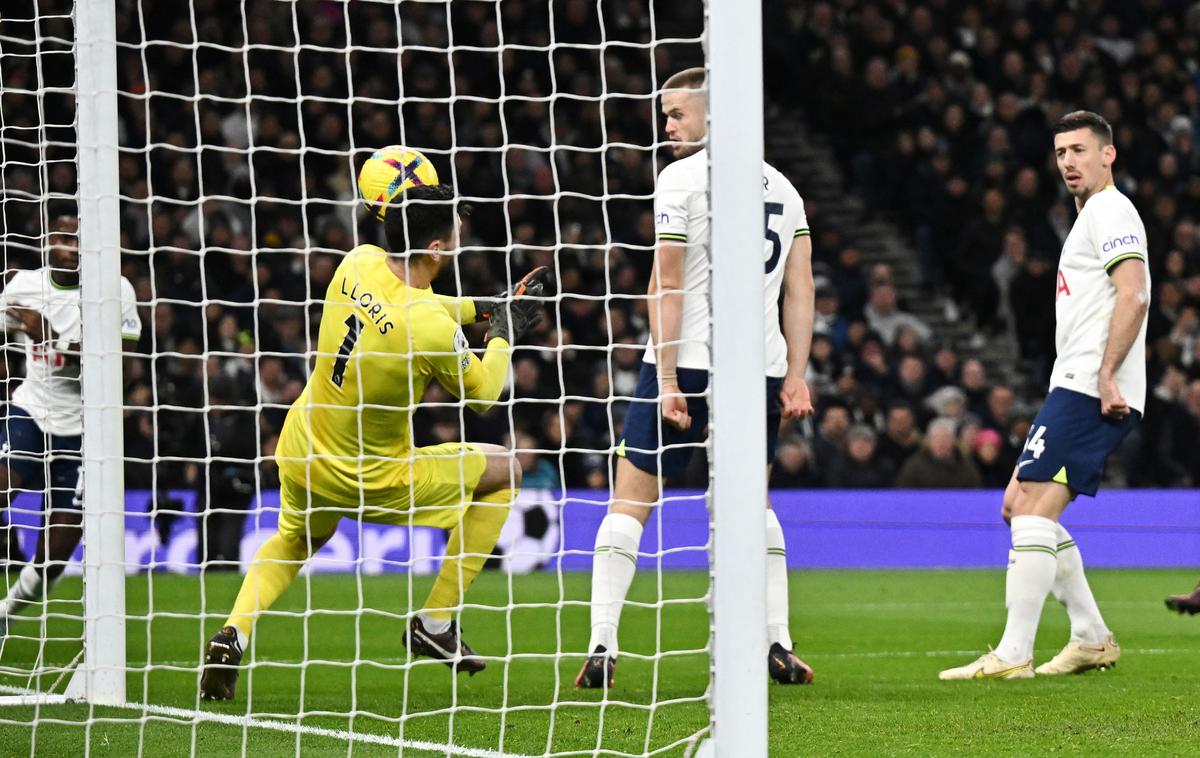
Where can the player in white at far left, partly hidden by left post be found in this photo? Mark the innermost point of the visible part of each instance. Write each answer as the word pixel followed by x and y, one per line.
pixel 41 436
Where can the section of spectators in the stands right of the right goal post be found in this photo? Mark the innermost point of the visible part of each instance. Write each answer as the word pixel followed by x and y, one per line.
pixel 941 118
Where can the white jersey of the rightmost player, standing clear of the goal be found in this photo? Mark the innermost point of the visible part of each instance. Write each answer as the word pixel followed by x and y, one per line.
pixel 1107 232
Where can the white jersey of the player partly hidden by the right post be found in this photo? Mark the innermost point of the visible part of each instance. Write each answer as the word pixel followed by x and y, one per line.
pixel 681 216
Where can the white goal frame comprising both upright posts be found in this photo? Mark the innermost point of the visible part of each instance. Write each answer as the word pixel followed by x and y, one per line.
pixel 740 486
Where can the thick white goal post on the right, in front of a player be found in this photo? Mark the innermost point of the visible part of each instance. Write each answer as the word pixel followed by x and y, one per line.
pixel 740 479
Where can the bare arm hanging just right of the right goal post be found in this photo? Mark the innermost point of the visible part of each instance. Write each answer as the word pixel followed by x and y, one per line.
pixel 800 299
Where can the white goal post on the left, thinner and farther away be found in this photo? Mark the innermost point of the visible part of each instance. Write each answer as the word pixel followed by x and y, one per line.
pixel 101 678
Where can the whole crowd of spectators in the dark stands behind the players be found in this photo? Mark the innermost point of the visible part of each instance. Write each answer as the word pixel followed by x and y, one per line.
pixel 236 215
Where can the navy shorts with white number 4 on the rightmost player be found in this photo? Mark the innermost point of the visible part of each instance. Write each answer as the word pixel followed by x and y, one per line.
pixel 1071 441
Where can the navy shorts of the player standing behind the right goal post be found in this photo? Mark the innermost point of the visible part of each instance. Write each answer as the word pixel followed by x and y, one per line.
pixel 644 424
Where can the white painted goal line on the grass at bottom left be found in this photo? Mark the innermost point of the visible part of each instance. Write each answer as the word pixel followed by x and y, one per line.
pixel 28 697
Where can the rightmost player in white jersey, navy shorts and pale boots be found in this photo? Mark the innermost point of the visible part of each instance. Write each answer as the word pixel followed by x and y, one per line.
pixel 1097 394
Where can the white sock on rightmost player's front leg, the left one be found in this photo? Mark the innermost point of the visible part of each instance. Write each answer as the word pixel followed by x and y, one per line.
pixel 1031 570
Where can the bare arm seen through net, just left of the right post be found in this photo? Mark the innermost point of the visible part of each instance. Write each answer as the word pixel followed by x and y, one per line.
pixel 665 293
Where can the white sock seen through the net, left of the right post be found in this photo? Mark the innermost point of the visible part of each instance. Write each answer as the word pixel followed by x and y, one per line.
pixel 614 566
